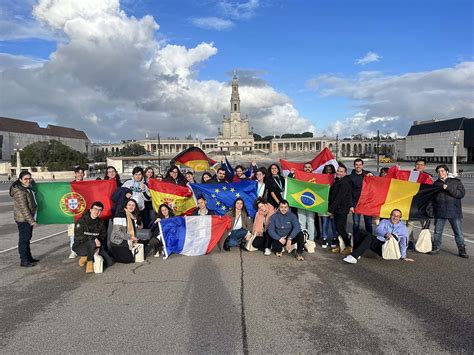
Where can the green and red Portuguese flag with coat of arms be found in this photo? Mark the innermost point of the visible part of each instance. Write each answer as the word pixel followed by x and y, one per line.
pixel 65 202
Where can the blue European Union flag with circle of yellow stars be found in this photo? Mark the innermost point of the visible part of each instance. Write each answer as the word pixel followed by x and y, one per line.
pixel 221 197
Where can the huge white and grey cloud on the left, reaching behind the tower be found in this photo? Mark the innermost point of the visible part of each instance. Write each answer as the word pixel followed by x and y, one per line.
pixel 113 79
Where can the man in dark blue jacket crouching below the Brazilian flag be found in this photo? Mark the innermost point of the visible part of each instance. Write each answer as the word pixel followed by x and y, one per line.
pixel 284 230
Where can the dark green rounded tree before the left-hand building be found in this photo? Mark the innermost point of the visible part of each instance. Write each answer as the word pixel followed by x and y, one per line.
pixel 53 155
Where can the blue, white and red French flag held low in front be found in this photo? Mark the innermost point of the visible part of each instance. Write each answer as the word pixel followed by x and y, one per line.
pixel 192 235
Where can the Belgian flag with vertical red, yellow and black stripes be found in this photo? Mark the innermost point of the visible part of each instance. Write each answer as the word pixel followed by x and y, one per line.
pixel 381 195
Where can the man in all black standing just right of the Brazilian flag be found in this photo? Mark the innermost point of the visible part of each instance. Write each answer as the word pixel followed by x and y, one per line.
pixel 340 202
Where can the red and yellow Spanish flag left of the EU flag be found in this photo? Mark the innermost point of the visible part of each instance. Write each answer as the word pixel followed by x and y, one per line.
pixel 178 198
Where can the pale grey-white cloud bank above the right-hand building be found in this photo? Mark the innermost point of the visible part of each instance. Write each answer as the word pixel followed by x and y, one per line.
pixel 392 103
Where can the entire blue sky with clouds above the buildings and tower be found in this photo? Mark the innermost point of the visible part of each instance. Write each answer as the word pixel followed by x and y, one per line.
pixel 122 69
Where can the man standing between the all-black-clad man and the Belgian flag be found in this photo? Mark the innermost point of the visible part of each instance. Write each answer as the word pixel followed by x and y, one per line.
pixel 357 177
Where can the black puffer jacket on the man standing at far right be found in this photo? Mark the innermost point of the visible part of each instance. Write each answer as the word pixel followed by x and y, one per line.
pixel 447 203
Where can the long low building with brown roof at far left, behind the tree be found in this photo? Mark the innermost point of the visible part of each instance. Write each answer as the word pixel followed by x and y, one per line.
pixel 16 134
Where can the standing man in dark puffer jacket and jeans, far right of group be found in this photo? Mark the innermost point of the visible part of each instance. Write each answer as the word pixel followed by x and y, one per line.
pixel 447 207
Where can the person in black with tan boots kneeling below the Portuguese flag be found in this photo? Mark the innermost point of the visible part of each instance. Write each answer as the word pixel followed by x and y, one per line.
pixel 90 236
